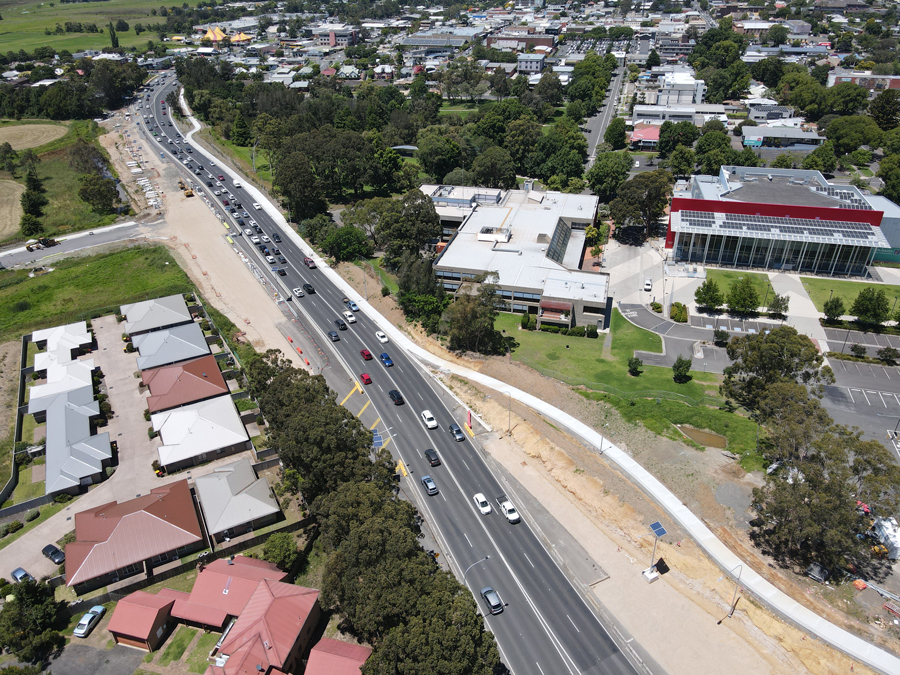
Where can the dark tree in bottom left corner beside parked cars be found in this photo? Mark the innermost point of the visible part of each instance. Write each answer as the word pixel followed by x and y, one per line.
pixel 29 620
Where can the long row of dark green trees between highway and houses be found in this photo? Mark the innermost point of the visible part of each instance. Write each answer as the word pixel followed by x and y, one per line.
pixel 377 576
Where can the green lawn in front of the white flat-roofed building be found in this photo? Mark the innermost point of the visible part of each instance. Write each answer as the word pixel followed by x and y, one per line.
pixel 584 364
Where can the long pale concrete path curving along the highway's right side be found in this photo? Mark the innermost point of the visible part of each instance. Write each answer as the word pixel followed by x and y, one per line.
pixel 780 602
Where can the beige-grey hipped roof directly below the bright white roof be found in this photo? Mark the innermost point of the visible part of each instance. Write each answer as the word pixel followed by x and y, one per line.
pixel 232 495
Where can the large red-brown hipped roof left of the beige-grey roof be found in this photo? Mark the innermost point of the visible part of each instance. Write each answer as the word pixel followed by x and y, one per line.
pixel 112 536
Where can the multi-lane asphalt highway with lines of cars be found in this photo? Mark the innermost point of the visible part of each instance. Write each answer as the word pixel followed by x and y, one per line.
pixel 546 627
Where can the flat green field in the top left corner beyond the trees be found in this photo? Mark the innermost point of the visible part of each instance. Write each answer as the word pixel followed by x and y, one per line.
pixel 24 24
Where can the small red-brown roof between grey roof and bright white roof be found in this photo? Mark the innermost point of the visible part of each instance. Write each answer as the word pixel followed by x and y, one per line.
pixel 180 383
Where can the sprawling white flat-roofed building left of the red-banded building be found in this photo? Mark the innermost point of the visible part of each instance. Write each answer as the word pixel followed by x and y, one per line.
pixel 534 241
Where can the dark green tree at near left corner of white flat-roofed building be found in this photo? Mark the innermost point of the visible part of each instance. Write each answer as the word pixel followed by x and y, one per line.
pixel 470 319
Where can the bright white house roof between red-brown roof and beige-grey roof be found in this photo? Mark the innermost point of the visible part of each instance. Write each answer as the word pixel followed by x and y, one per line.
pixel 198 428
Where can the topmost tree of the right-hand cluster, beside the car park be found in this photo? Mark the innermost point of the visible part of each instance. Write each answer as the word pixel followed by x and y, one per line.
pixel 761 360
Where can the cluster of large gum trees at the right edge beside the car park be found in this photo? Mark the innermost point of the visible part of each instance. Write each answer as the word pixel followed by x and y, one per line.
pixel 806 512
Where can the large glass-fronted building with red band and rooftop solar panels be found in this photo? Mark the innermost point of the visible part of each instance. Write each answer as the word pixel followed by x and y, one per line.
pixel 779 219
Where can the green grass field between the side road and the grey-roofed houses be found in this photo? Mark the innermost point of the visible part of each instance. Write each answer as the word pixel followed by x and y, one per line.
pixel 78 286
